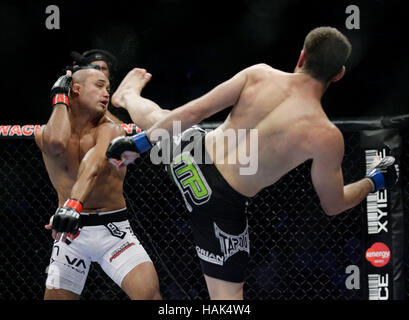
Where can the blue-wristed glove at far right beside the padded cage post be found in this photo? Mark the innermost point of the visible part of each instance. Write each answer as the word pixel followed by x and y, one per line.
pixel 383 175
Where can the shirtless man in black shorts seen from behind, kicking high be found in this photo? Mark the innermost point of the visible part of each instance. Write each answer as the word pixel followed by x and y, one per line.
pixel 284 112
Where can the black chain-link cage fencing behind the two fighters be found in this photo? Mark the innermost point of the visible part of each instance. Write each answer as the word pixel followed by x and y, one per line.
pixel 297 252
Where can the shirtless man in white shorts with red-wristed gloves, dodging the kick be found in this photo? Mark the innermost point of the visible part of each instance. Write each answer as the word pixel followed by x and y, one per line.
pixel 90 224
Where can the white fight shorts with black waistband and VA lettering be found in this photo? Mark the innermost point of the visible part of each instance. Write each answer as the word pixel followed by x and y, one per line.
pixel 105 238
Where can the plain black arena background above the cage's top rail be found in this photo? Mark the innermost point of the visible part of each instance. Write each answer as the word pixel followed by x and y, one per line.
pixel 191 46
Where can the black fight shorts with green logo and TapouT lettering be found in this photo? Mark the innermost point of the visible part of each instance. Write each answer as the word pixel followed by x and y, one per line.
pixel 218 212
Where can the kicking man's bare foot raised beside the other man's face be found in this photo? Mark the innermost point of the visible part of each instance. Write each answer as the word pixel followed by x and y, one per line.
pixel 132 84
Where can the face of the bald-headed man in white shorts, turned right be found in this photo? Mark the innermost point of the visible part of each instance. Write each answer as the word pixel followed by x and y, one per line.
pixel 94 93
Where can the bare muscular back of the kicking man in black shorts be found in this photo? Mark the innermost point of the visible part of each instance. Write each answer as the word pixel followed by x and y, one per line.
pixel 288 120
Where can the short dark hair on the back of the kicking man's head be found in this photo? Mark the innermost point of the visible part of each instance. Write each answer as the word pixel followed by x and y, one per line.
pixel 326 51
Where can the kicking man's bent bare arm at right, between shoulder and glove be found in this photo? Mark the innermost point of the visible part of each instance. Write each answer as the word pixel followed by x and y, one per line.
pixel 327 177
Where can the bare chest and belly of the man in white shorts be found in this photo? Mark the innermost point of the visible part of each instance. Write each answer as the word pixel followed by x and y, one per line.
pixel 107 195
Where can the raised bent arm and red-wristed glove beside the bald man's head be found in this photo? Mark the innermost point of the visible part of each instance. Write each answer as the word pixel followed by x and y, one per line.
pixel 53 137
